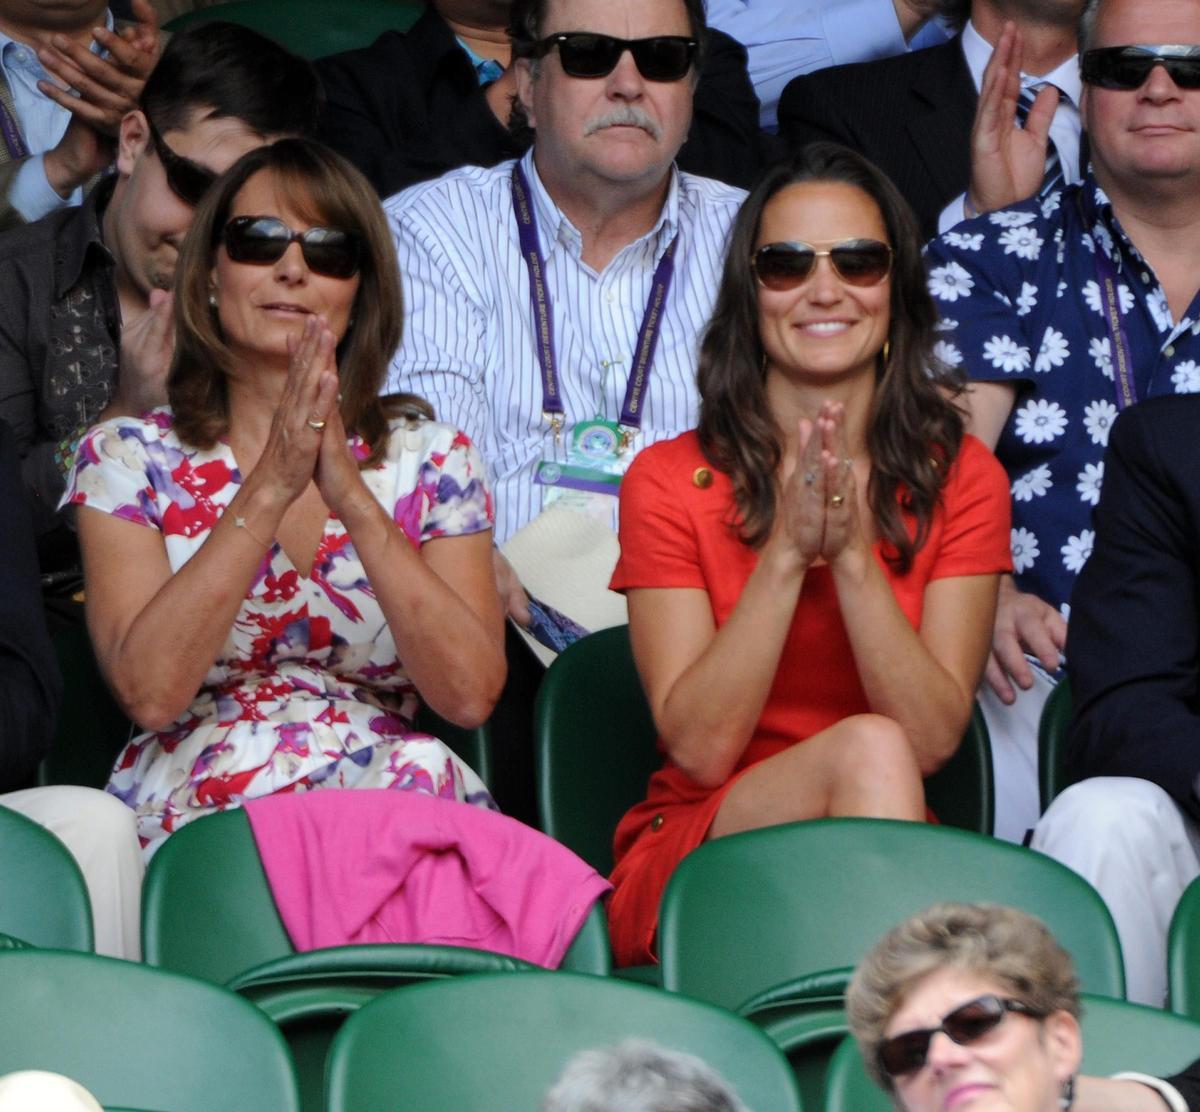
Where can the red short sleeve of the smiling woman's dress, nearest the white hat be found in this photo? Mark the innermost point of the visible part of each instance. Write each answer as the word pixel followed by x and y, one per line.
pixel 658 536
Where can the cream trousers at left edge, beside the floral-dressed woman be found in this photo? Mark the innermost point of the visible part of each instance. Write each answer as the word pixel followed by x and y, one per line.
pixel 103 837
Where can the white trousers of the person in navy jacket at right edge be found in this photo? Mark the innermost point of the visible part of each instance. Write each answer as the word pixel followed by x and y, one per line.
pixel 1139 851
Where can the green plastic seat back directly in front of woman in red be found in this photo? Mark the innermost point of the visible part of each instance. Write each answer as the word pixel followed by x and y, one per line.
pixel 754 910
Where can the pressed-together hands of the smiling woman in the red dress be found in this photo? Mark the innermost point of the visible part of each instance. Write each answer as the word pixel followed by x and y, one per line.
pixel 819 515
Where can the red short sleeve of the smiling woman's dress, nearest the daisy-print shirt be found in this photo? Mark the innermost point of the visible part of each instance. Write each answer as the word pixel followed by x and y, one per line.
pixel 976 536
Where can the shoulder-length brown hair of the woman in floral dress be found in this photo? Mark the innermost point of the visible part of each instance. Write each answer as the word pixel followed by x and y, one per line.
pixel 327 190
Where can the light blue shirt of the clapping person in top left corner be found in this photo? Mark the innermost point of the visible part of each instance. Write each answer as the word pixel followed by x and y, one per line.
pixel 43 125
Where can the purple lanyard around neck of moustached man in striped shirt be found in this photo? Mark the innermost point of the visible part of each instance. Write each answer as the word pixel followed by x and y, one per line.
pixel 544 321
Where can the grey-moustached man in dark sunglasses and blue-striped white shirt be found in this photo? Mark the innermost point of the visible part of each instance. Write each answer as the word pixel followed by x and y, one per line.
pixel 566 293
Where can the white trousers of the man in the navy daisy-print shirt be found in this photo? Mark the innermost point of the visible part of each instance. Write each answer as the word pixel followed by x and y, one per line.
pixel 1013 732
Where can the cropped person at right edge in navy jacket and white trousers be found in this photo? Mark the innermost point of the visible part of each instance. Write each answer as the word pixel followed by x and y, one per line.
pixel 1133 822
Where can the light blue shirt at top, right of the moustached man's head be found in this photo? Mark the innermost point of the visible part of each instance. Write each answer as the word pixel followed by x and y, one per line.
pixel 788 38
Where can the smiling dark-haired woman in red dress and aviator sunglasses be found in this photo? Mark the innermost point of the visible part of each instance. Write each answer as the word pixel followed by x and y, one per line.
pixel 818 563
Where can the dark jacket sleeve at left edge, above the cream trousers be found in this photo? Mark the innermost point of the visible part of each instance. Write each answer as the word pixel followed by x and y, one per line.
pixel 29 677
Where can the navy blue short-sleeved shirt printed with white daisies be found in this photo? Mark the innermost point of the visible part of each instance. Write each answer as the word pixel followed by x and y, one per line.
pixel 1021 302
